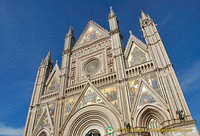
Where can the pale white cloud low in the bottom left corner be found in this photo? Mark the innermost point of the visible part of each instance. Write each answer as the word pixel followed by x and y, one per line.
pixel 10 131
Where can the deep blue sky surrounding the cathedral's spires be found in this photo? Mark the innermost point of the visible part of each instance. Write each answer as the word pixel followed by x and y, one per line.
pixel 29 28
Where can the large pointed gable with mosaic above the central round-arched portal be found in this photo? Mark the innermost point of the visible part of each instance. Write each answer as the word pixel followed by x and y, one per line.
pixel 94 96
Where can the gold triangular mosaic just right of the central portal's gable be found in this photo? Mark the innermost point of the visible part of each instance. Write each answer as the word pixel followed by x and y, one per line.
pixel 111 95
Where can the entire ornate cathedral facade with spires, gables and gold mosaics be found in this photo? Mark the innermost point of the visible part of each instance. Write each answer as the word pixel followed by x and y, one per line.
pixel 103 89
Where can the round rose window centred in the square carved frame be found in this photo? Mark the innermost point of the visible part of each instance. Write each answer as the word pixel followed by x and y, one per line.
pixel 92 66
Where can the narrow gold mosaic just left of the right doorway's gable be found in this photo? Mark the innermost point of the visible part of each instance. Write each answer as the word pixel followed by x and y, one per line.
pixel 133 86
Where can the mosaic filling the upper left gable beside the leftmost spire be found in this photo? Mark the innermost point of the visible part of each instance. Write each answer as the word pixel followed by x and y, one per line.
pixel 54 84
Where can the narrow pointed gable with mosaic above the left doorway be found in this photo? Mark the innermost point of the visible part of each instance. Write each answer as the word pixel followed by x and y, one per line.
pixel 45 121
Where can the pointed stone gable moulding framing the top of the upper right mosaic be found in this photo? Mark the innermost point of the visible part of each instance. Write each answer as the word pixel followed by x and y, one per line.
pixel 134 41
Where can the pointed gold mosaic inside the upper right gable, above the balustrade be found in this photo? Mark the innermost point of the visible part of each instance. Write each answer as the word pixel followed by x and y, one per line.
pixel 136 56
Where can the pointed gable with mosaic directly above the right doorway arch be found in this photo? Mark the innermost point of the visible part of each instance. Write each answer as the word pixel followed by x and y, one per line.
pixel 145 95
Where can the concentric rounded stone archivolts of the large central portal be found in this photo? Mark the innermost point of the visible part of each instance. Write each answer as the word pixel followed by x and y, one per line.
pixel 92 114
